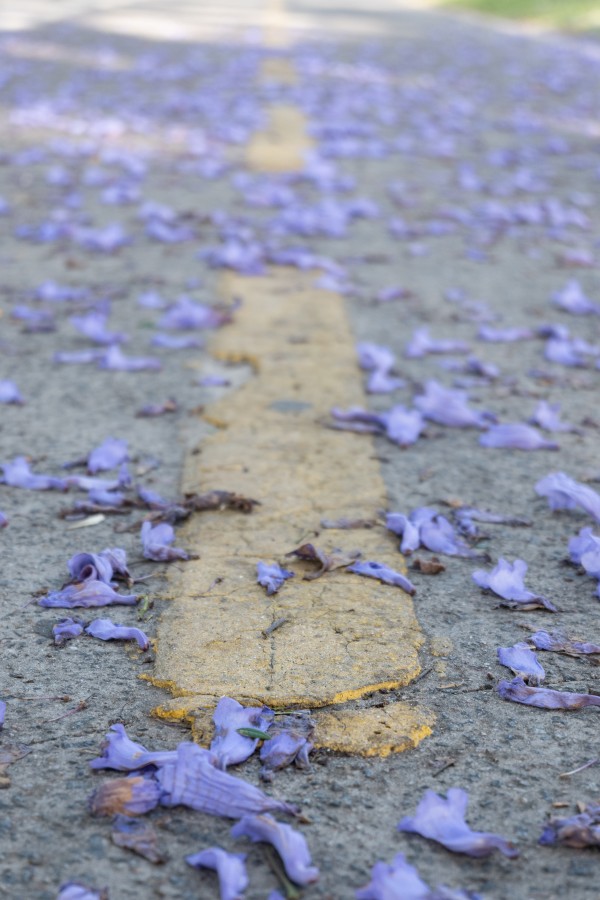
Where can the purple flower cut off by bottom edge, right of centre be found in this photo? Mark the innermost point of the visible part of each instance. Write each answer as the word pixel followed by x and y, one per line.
pixel 400 881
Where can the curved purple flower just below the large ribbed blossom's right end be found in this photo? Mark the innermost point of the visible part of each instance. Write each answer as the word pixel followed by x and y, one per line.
pixel 289 843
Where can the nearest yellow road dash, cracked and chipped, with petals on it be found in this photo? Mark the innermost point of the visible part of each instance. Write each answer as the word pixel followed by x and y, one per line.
pixel 345 636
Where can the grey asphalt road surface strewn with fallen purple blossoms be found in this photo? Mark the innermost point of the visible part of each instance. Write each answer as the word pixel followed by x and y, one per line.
pixel 455 161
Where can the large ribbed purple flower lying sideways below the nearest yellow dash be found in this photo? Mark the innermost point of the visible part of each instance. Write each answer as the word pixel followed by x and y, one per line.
pixel 194 781
